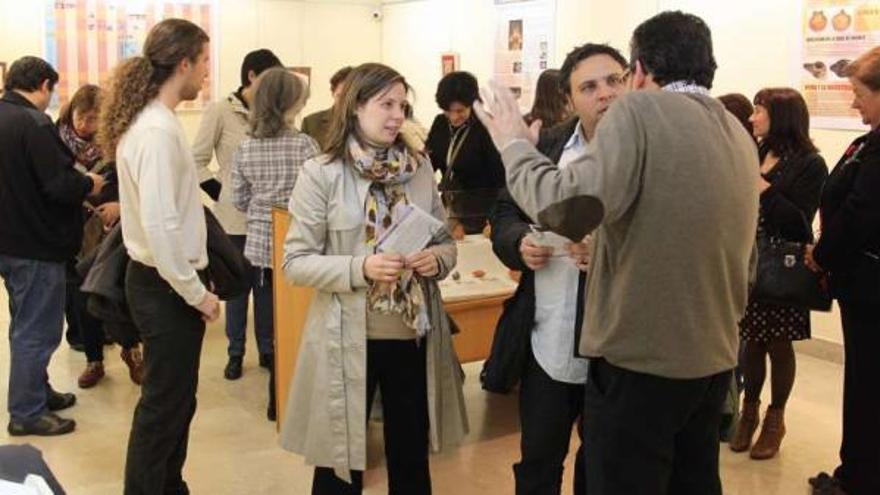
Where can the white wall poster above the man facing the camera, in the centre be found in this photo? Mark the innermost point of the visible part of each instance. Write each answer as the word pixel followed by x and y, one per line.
pixel 524 46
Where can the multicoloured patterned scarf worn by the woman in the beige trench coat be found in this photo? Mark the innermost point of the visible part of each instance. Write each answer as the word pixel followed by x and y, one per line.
pixel 388 170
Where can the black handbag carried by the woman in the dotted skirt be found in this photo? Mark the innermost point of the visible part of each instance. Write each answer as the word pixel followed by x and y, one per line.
pixel 784 280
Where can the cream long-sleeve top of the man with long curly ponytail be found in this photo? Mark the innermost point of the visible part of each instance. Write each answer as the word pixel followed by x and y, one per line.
pixel 163 223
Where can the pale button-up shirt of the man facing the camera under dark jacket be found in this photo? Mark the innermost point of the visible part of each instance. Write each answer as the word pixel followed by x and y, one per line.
pixel 553 338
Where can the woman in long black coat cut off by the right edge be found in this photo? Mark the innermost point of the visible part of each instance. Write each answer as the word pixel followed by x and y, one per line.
pixel 848 250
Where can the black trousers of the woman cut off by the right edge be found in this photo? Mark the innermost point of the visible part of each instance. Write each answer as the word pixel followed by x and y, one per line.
pixel 859 470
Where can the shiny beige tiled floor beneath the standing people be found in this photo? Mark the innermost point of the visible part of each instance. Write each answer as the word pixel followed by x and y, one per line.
pixel 233 449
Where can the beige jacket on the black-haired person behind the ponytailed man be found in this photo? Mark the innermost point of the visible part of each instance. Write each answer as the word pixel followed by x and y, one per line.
pixel 223 127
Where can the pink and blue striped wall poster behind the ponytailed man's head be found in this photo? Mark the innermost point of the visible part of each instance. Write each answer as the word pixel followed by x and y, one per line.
pixel 86 39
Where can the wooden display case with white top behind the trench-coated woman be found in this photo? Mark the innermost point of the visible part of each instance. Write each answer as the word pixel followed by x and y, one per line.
pixel 474 305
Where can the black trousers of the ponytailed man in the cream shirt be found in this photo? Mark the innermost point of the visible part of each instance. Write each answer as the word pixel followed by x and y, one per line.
pixel 172 333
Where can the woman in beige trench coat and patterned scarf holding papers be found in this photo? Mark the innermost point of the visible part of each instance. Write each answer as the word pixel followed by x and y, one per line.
pixel 376 320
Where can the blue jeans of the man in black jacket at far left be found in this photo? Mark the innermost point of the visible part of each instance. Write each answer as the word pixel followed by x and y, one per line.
pixel 36 310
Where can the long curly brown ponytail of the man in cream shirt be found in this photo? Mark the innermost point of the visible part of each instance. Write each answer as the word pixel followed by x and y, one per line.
pixel 136 81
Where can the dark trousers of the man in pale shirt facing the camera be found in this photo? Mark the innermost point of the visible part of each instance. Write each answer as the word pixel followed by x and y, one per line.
pixel 547 411
